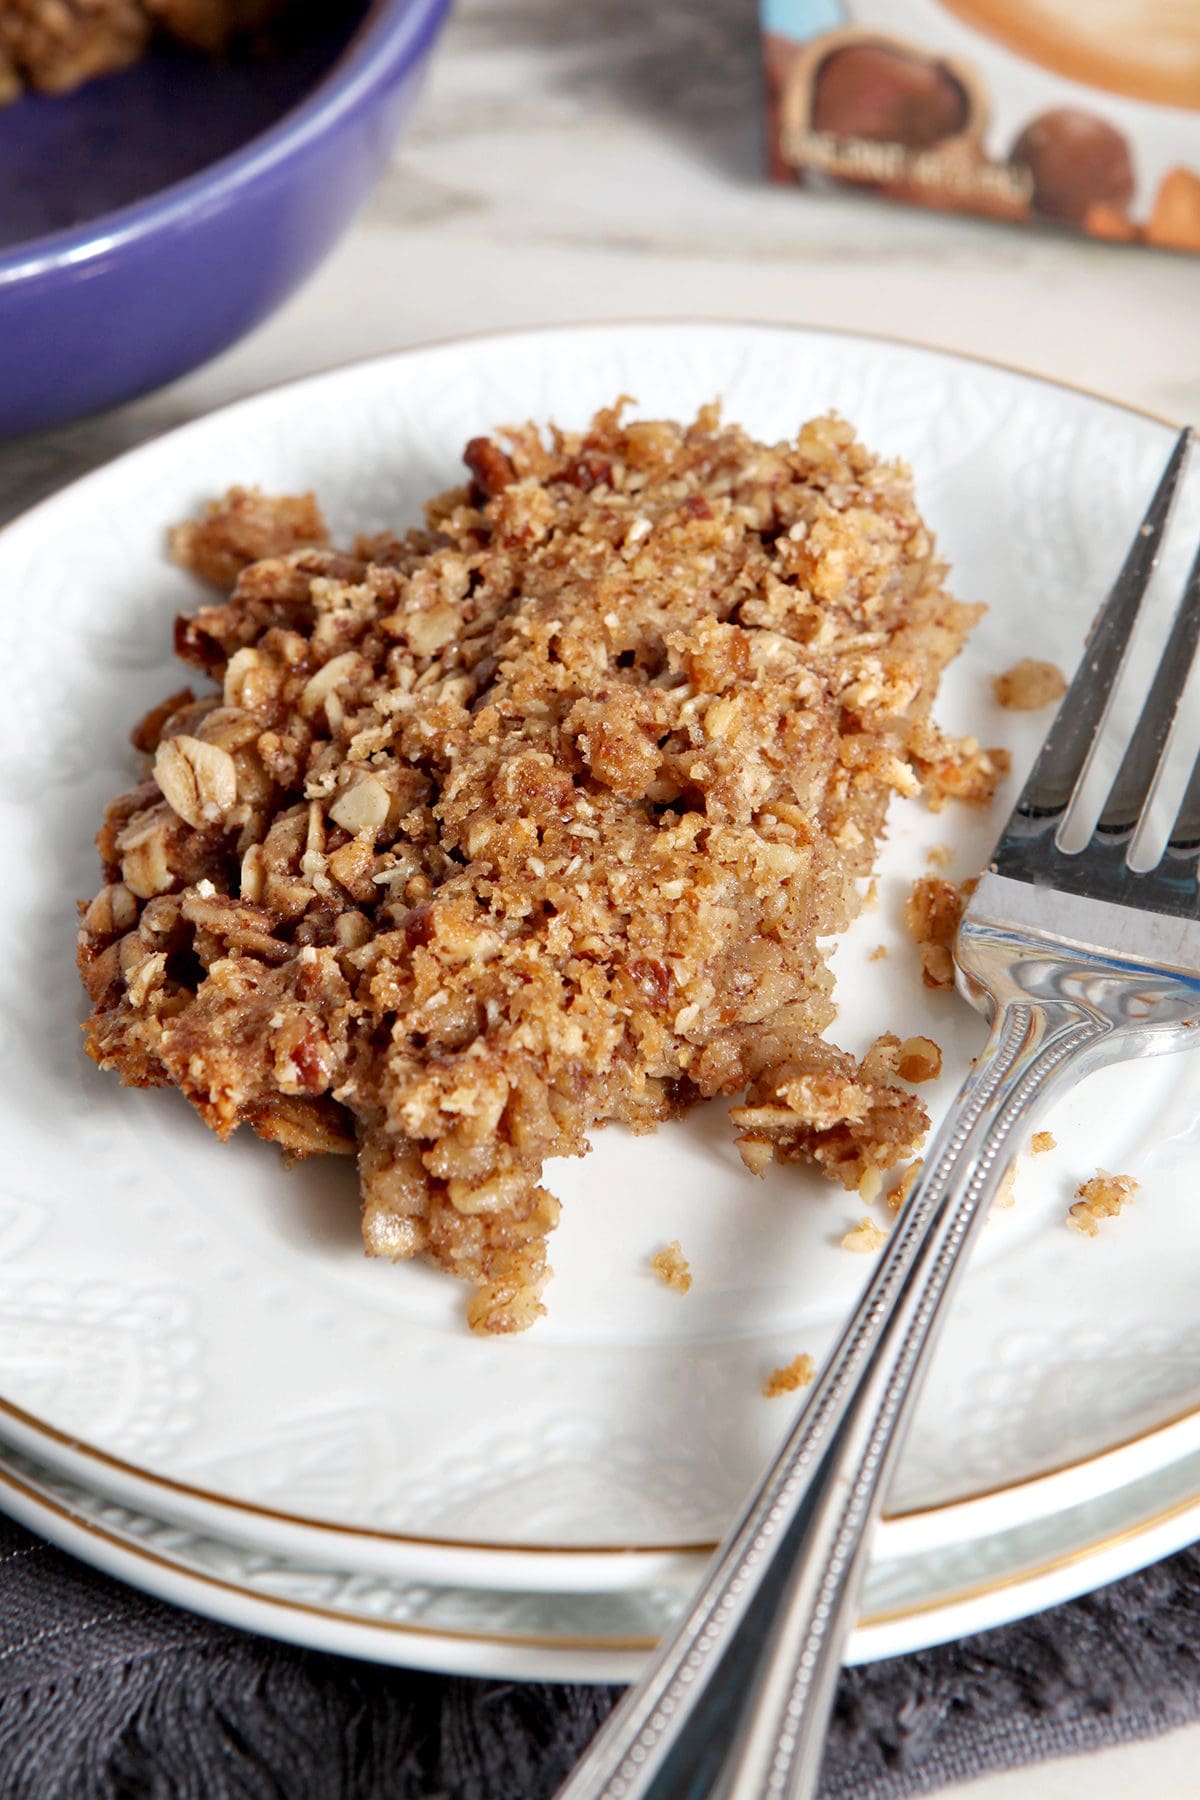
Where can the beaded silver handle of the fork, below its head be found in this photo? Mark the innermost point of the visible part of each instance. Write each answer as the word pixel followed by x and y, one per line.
pixel 735 1704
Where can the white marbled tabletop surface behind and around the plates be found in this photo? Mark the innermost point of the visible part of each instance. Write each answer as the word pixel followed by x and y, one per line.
pixel 598 161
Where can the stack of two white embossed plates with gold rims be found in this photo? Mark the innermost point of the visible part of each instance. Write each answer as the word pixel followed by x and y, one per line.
pixel 211 1394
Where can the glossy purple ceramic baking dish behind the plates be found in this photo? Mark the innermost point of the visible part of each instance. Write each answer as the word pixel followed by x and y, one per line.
pixel 201 199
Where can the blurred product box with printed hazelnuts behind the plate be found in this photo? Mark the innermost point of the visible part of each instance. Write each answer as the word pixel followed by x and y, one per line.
pixel 1084 116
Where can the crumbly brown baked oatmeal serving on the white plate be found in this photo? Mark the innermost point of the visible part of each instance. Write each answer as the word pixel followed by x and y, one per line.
pixel 533 820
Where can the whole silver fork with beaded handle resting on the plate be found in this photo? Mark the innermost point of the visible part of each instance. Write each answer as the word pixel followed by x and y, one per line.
pixel 1079 960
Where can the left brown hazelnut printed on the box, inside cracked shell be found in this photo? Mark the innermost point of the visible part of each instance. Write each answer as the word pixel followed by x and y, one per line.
pixel 886 96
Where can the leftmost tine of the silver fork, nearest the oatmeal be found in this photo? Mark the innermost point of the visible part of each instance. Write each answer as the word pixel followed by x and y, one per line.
pixel 1077 730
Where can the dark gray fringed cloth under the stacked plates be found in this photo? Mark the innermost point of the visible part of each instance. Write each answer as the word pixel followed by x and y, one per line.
pixel 107 1695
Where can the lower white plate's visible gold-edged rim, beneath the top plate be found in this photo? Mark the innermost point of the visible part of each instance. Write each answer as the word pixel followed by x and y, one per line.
pixel 909 1601
